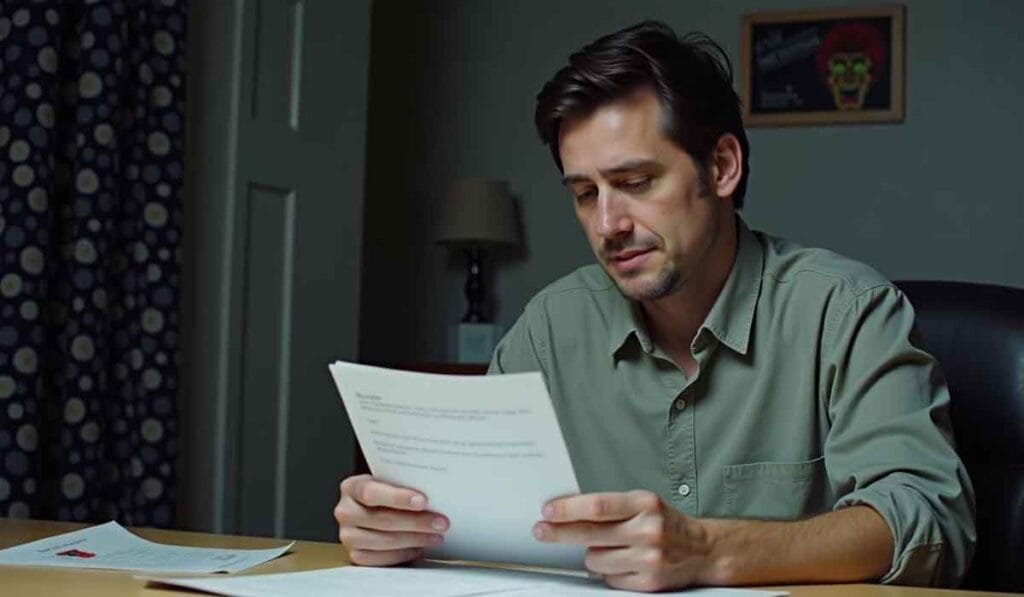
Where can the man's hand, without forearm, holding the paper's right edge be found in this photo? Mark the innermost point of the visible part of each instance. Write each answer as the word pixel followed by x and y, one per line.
pixel 633 540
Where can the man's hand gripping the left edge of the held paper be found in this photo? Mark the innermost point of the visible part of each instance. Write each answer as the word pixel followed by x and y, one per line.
pixel 382 525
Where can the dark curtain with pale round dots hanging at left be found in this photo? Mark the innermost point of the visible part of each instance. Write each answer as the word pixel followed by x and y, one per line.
pixel 92 127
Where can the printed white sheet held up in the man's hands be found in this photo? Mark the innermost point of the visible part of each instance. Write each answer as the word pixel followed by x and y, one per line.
pixel 486 450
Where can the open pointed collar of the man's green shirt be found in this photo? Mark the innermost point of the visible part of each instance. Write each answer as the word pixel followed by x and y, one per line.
pixel 732 317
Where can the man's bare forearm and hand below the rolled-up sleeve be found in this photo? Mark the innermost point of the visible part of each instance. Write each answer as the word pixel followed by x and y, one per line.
pixel 637 542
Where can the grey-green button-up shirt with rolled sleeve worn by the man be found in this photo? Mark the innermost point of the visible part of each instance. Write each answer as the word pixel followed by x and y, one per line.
pixel 810 397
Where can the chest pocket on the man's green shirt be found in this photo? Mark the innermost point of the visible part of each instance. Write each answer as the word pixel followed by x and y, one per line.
pixel 777 491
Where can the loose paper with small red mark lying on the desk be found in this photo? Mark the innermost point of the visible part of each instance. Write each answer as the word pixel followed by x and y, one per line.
pixel 111 546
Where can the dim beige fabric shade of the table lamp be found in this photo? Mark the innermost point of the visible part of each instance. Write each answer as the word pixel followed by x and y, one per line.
pixel 478 211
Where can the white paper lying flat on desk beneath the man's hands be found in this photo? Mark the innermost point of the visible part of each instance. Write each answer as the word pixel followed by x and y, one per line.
pixel 423 582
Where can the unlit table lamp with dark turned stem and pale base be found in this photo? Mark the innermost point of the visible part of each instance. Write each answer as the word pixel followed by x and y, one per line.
pixel 476 216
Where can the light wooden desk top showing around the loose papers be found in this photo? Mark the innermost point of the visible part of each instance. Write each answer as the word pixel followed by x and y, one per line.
pixel 307 556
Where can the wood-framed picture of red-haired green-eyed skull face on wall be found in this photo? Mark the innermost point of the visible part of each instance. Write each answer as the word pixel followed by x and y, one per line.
pixel 823 67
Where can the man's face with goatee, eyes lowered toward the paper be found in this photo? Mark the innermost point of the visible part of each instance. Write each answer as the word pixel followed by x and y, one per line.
pixel 639 198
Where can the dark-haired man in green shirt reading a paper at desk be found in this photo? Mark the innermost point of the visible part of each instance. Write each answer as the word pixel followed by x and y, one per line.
pixel 739 410
